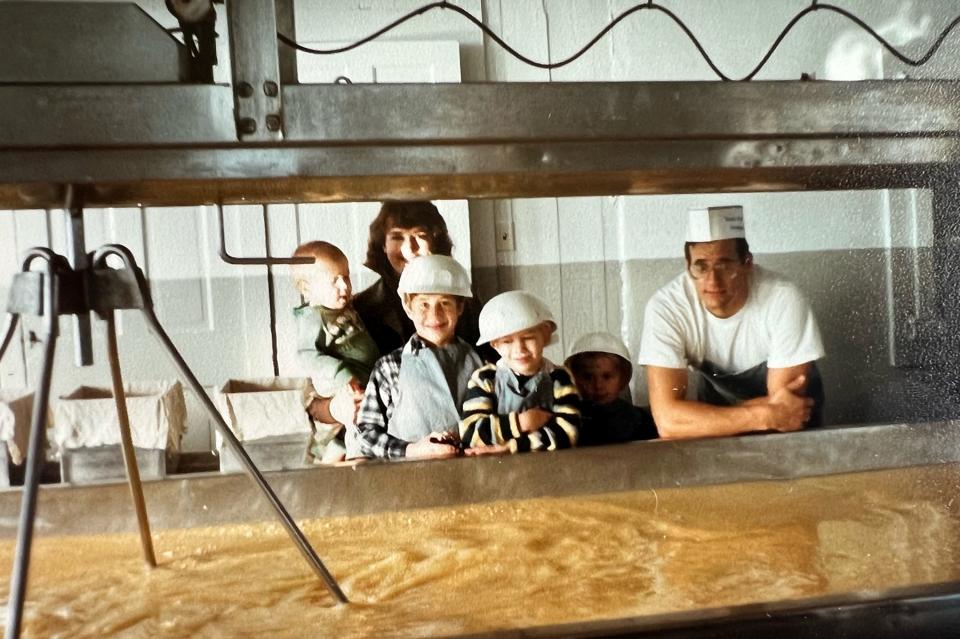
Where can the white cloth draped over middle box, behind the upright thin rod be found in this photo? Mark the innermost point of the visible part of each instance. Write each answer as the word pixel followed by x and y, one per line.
pixel 87 417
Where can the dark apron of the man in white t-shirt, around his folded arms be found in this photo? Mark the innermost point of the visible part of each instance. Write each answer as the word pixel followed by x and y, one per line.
pixel 727 389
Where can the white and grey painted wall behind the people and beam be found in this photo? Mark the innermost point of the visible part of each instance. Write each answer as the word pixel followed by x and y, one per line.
pixel 596 260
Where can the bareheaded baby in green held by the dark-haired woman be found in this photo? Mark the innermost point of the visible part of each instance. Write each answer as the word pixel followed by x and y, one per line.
pixel 333 348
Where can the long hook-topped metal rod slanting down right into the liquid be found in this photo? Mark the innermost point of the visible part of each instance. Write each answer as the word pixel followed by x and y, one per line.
pixel 303 545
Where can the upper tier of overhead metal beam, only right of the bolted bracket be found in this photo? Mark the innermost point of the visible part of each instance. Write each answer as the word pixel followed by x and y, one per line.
pixel 595 111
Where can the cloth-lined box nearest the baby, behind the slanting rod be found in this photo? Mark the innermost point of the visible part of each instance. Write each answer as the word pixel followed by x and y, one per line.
pixel 269 416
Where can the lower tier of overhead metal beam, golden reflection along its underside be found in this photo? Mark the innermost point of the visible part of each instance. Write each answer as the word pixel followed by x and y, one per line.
pixel 168 177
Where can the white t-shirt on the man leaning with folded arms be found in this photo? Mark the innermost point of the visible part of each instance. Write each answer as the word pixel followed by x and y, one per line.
pixel 775 325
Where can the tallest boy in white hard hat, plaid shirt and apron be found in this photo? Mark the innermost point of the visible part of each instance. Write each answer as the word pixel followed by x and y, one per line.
pixel 411 404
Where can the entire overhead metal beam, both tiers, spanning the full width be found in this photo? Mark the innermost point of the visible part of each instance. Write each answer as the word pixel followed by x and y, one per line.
pixel 165 145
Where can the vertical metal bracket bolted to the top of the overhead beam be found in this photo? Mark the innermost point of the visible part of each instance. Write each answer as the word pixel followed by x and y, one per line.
pixel 256 70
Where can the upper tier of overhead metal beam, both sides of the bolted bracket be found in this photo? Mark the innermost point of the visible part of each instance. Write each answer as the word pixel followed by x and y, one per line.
pixel 106 116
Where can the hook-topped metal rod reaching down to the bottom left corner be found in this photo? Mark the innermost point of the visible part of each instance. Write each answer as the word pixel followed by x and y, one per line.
pixel 21 562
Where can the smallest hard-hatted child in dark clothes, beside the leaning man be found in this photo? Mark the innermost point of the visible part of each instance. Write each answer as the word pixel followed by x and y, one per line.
pixel 600 363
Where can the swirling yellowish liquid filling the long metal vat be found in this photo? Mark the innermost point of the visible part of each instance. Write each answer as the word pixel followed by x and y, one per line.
pixel 507 564
